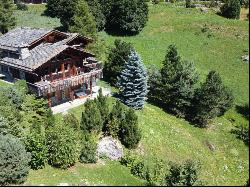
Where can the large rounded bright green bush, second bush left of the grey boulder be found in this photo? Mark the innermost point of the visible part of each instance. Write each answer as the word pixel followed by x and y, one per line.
pixel 62 144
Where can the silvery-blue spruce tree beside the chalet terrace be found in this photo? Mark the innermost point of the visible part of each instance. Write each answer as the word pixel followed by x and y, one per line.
pixel 133 82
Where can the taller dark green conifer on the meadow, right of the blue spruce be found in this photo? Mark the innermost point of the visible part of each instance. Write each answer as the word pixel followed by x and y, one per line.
pixel 179 80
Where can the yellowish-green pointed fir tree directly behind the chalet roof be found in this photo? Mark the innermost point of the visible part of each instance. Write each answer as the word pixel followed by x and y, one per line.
pixel 83 21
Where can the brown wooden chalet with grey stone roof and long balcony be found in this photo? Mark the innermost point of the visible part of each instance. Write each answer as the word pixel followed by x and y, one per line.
pixel 55 64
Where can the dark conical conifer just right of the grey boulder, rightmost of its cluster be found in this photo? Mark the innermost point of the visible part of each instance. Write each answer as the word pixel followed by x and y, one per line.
pixel 129 133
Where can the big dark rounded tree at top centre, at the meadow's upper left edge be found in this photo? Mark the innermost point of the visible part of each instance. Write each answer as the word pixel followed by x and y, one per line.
pixel 130 16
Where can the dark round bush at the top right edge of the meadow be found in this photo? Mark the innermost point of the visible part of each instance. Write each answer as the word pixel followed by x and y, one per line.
pixel 231 9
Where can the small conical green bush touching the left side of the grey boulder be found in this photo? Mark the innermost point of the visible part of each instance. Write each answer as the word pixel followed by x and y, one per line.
pixel 88 151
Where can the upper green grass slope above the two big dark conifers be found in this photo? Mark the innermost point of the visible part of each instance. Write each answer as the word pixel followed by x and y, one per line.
pixel 221 52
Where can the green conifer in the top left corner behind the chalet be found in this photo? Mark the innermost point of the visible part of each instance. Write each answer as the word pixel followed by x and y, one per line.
pixel 7 18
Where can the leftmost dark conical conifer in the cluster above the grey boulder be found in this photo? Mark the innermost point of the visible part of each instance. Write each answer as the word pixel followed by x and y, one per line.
pixel 91 118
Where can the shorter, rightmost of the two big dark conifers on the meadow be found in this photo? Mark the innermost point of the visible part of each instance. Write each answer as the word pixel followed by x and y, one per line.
pixel 212 99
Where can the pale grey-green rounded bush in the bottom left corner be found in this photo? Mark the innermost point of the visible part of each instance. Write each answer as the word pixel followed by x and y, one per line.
pixel 14 161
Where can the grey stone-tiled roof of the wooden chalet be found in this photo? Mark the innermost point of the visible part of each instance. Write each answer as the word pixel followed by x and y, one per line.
pixel 24 37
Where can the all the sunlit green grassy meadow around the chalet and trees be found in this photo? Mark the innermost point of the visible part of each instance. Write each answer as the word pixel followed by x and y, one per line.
pixel 217 46
